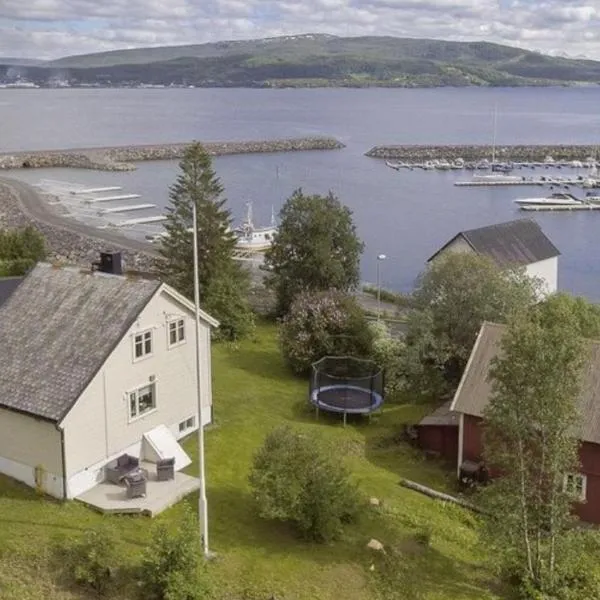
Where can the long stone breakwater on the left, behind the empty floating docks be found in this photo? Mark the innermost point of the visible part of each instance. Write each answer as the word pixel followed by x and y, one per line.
pixel 122 158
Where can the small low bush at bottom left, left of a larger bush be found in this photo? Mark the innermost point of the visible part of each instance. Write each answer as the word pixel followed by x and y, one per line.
pixel 91 560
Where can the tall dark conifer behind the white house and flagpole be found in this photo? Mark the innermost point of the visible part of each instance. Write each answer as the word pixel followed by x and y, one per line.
pixel 223 281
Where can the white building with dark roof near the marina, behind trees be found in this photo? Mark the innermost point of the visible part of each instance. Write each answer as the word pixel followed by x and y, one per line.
pixel 520 243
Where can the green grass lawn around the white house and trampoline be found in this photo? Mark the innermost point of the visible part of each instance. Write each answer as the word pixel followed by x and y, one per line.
pixel 252 393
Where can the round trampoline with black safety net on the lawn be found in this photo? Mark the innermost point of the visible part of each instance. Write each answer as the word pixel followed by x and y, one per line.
pixel 346 385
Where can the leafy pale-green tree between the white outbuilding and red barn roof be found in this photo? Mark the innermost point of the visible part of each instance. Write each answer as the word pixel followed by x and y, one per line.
pixel 453 297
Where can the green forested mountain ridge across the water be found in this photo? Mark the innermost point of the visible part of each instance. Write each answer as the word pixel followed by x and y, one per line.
pixel 325 60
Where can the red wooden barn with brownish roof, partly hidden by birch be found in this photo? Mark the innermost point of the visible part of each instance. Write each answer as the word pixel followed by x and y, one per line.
pixel 474 392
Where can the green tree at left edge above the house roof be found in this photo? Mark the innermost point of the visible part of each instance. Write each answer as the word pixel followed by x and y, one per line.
pixel 20 249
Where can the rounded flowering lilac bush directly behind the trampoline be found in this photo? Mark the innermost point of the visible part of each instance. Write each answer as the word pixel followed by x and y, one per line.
pixel 321 324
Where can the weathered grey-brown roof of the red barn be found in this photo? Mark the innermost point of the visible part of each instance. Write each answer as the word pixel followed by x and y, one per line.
pixel 475 388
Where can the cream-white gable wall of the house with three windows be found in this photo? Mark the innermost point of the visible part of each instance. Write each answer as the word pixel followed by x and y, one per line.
pixel 98 428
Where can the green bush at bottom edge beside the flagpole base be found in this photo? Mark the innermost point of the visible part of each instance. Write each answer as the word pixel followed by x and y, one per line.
pixel 171 566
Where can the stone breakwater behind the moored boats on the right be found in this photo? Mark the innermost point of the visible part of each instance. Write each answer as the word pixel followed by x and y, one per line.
pixel 529 153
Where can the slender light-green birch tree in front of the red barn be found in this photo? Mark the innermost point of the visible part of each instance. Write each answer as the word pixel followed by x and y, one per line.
pixel 529 425
